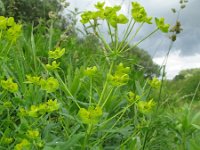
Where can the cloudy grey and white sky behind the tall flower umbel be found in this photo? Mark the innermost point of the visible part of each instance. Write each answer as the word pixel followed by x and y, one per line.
pixel 186 50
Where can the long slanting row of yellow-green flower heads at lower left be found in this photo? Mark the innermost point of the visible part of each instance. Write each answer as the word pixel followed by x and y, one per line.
pixel 41 109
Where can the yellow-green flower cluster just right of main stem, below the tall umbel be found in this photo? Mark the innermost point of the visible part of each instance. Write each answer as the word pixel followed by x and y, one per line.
pixel 120 76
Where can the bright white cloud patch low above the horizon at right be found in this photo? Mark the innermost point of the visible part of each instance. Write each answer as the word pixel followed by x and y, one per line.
pixel 176 63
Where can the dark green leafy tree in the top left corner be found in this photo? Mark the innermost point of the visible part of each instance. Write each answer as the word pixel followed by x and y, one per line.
pixel 31 11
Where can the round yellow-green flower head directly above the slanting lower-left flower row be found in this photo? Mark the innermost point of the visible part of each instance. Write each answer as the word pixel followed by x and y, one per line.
pixel 50 85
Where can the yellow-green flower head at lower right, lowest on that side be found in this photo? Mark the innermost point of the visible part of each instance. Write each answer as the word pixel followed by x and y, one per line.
pixel 145 106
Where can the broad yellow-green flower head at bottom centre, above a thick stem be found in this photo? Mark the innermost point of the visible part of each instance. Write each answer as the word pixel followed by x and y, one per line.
pixel 90 115
